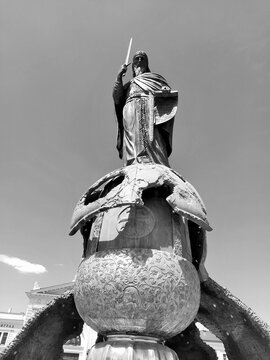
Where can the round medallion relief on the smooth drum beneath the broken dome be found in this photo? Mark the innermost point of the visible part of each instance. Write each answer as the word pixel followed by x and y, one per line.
pixel 135 221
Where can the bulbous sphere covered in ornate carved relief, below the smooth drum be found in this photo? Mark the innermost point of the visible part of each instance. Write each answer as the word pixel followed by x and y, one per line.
pixel 139 291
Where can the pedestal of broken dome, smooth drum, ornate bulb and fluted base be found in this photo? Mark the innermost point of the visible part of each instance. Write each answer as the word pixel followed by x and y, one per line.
pixel 137 284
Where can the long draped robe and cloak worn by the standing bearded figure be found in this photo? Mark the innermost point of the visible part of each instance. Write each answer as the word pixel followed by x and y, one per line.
pixel 140 137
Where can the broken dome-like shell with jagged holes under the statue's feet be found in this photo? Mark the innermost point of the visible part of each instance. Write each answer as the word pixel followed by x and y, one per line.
pixel 136 178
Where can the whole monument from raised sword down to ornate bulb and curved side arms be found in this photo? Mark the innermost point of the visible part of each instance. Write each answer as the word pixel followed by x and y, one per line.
pixel 142 283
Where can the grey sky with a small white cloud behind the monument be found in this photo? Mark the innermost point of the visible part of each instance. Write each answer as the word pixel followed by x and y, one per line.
pixel 58 63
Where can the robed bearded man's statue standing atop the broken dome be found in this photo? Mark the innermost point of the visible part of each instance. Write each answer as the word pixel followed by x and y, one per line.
pixel 145 110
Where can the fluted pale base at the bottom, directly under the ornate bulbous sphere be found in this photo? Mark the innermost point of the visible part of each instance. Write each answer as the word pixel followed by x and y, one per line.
pixel 119 347
